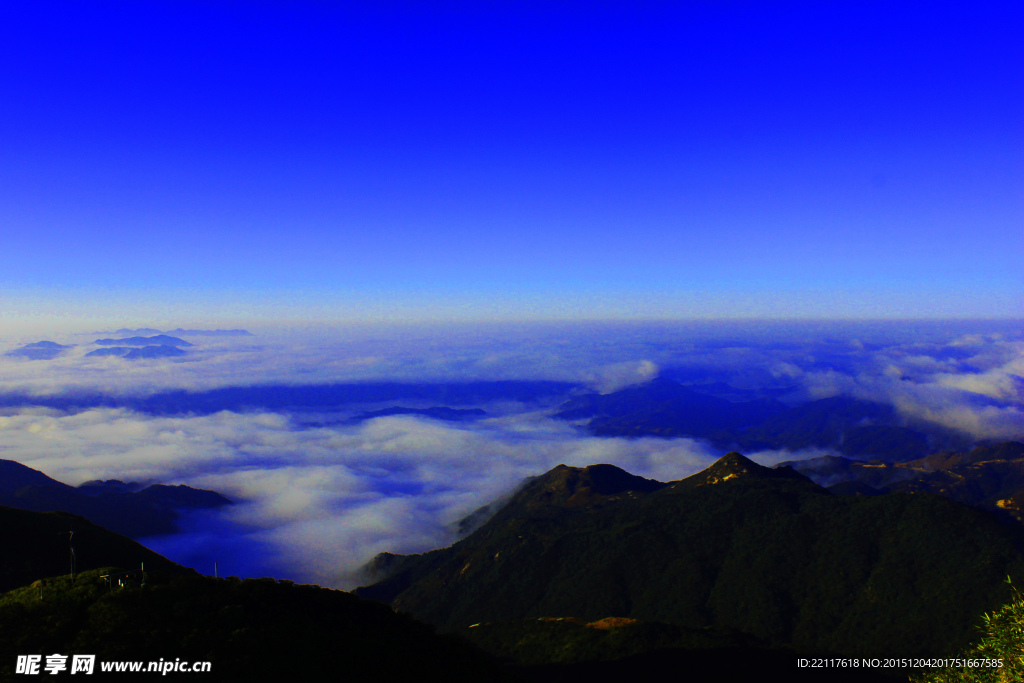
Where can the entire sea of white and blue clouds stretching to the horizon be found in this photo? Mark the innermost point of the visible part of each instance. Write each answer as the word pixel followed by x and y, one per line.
pixel 319 494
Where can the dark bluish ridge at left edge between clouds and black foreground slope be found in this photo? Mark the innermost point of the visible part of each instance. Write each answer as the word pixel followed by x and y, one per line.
pixel 152 511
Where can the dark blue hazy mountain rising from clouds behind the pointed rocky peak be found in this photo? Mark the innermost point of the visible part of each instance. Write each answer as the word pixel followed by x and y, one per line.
pixel 666 408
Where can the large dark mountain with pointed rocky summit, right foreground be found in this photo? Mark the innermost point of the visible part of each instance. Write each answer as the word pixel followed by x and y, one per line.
pixel 740 547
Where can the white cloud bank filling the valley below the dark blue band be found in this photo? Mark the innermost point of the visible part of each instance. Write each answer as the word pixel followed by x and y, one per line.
pixel 323 501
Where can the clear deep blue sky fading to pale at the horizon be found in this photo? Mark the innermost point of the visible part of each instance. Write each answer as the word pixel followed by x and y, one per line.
pixel 176 162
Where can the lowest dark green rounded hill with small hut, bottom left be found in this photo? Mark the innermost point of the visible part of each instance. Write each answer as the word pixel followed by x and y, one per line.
pixel 249 630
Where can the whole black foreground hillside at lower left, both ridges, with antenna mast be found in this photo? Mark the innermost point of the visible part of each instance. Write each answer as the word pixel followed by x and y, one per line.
pixel 247 630
